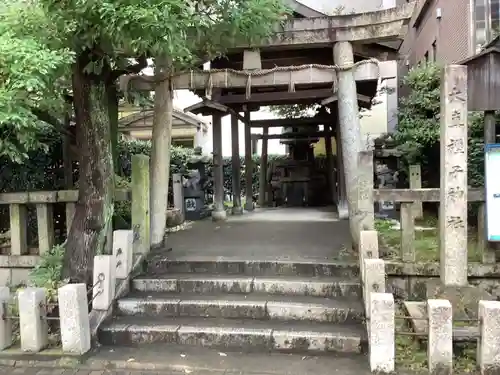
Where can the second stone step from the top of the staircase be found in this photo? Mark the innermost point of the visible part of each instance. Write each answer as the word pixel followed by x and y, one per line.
pixel 213 284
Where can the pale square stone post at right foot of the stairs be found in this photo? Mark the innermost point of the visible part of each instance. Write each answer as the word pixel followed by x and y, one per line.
pixel 381 332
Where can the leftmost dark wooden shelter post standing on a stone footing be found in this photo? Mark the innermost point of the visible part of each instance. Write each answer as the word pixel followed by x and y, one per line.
pixel 218 213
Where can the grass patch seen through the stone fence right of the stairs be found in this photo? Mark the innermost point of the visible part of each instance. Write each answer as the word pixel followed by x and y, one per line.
pixel 426 241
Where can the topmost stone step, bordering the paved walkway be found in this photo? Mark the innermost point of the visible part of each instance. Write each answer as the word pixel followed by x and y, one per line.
pixel 160 264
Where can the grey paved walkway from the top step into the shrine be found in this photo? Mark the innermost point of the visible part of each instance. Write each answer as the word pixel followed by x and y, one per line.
pixel 277 233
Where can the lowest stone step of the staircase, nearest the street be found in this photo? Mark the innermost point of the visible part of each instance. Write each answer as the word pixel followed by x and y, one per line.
pixel 244 335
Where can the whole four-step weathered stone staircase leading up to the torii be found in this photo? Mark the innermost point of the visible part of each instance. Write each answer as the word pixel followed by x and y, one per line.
pixel 285 306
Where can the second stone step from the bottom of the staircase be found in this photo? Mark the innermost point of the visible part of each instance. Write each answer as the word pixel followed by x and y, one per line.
pixel 239 306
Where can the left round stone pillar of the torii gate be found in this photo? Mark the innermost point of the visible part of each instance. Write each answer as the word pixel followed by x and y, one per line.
pixel 160 153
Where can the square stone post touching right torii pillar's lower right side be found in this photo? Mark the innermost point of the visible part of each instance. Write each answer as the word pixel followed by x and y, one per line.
pixel 365 206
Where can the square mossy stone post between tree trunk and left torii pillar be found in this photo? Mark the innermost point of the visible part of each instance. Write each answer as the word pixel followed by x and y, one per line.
pixel 141 204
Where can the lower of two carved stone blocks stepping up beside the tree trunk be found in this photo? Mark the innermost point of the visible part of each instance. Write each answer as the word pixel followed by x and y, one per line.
pixel 104 282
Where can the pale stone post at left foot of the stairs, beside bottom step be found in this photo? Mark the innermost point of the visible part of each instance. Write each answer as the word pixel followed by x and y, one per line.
pixel 74 318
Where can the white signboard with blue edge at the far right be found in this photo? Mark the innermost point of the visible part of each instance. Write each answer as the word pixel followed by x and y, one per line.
pixel 492 190
